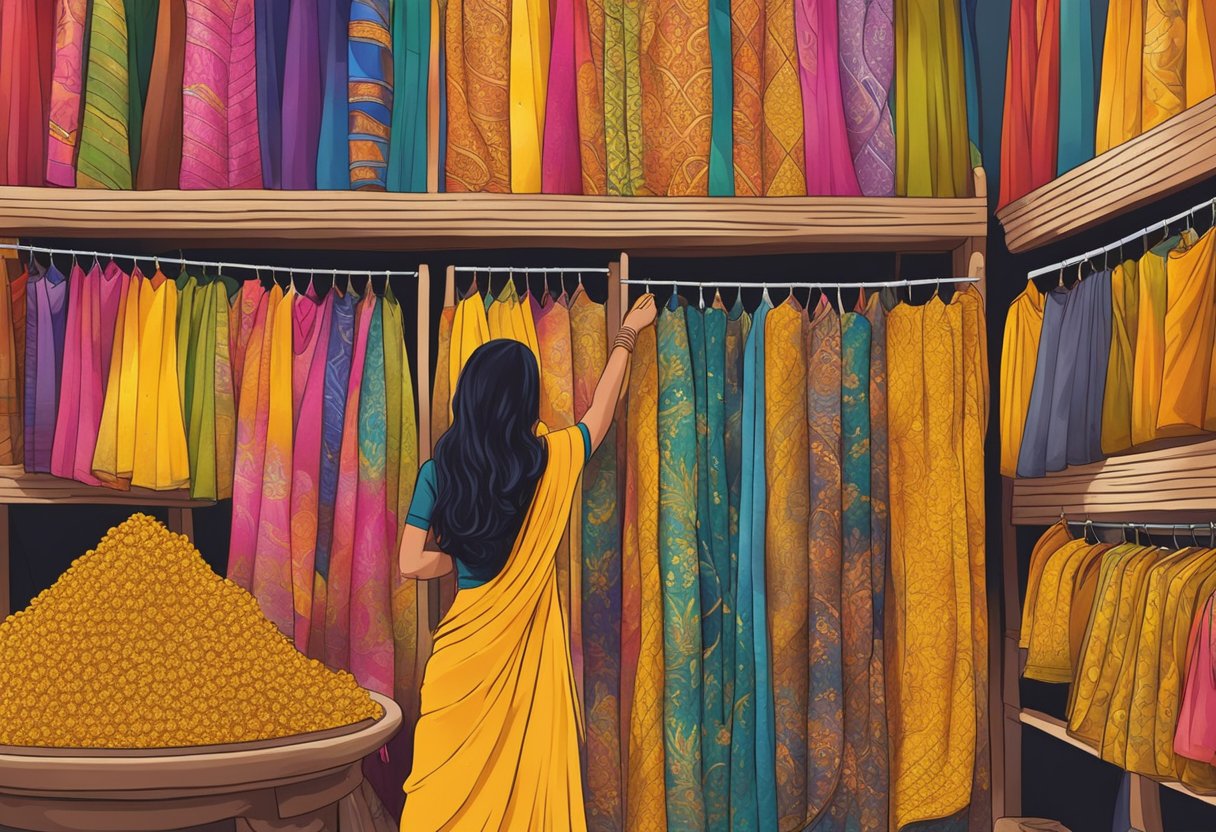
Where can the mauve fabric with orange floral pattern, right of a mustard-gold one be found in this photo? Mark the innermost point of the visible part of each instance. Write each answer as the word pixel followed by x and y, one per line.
pixel 825 706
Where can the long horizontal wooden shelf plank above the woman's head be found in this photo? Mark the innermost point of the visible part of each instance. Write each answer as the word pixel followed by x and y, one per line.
pixel 423 222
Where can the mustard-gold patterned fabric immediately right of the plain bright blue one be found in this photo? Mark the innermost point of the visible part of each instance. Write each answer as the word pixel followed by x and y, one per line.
pixel 787 564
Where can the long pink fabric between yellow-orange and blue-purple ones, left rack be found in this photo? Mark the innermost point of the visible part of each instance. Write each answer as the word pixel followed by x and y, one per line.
pixel 311 342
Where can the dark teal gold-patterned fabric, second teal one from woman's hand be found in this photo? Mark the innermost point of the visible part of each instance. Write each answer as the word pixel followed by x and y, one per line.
pixel 707 345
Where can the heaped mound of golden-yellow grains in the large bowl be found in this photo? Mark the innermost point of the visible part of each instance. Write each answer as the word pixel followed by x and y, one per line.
pixel 140 645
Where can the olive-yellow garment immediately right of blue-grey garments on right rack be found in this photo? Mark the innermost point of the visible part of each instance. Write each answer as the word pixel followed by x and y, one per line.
pixel 1117 403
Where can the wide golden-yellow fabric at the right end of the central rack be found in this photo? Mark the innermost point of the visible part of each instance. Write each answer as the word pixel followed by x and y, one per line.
pixel 938 657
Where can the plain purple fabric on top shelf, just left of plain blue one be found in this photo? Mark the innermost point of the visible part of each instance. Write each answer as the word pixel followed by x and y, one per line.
pixel 302 98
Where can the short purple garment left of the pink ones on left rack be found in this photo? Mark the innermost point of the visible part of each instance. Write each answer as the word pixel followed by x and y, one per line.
pixel 46 325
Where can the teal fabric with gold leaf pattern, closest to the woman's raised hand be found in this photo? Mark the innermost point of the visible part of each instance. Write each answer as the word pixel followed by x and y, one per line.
pixel 679 566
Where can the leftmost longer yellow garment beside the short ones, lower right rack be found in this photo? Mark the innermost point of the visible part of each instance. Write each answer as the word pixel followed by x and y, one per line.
pixel 1097 677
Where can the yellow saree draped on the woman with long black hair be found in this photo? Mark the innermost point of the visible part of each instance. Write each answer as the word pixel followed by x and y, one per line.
pixel 497 746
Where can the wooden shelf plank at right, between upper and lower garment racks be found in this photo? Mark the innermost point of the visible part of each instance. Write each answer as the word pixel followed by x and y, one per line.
pixel 1174 482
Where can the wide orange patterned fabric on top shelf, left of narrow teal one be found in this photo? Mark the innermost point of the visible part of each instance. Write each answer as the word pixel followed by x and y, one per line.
pixel 678 99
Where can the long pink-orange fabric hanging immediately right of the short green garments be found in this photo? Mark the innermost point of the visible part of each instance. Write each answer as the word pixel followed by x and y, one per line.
pixel 251 442
